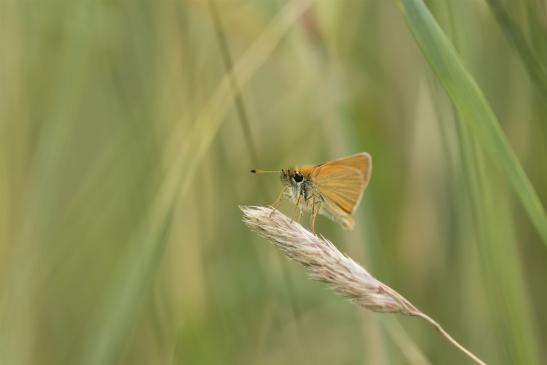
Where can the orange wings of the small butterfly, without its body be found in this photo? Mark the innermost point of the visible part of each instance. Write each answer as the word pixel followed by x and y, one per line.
pixel 342 183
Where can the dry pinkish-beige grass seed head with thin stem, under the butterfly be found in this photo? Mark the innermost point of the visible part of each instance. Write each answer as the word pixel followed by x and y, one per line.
pixel 327 264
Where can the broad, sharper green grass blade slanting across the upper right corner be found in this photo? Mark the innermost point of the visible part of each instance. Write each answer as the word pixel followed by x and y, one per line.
pixel 471 105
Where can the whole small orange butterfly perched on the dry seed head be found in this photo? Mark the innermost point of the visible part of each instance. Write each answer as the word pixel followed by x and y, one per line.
pixel 333 188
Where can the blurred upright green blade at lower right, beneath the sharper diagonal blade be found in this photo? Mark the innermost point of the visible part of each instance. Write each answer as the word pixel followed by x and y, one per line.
pixel 500 263
